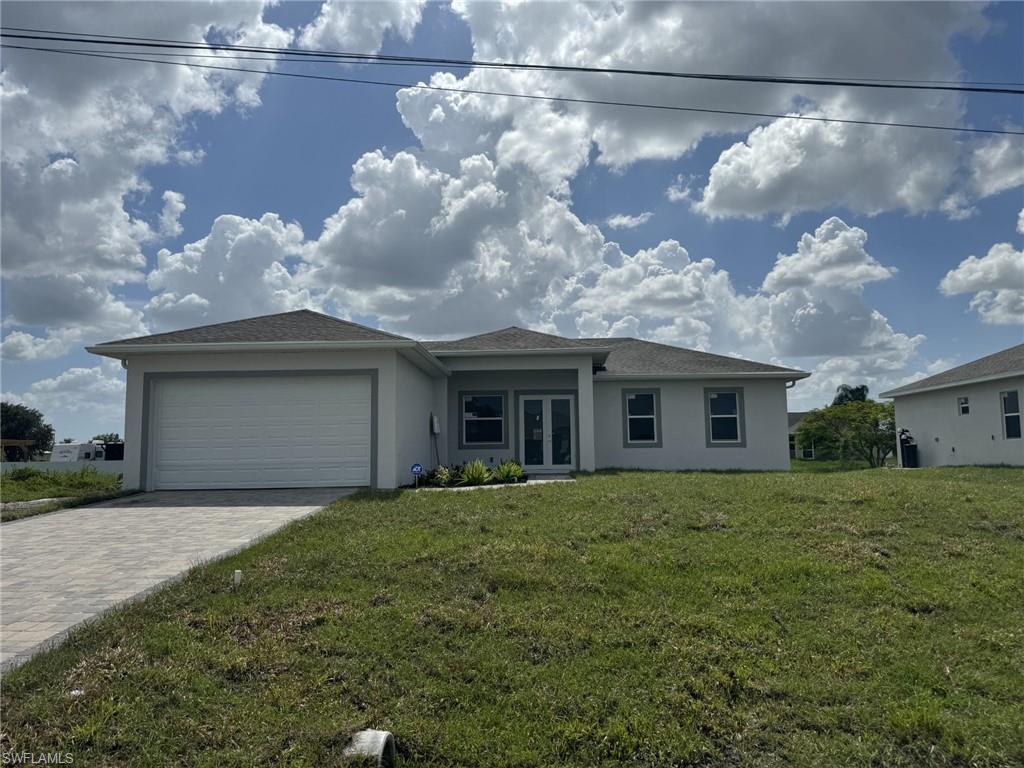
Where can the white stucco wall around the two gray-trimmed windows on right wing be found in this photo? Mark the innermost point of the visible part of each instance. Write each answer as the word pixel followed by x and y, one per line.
pixel 684 436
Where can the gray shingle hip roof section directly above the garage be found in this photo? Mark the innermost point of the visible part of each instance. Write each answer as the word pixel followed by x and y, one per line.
pixel 303 325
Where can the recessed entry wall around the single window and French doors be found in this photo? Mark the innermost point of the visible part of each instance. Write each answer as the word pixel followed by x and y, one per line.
pixel 508 383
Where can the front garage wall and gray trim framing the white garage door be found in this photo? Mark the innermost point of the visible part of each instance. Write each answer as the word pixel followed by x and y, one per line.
pixel 385 363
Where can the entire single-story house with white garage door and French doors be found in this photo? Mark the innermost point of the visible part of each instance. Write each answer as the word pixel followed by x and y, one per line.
pixel 303 399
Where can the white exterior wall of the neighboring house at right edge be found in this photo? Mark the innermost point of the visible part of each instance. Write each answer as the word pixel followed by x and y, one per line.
pixel 947 439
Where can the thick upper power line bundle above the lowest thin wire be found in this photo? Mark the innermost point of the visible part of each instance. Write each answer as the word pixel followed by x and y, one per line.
pixel 67 37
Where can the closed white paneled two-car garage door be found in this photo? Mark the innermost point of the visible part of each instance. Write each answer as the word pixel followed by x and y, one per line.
pixel 247 433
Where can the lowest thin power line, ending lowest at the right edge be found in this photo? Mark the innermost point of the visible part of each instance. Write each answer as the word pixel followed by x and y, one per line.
pixel 533 97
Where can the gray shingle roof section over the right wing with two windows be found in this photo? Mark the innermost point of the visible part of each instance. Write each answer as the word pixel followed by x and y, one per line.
pixel 633 357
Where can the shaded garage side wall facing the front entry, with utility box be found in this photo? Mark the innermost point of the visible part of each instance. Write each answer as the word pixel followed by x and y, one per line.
pixel 415 403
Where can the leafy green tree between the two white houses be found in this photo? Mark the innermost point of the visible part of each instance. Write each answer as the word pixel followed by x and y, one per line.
pixel 865 430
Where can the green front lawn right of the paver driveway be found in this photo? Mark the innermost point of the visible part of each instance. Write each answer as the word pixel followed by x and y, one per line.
pixel 631 619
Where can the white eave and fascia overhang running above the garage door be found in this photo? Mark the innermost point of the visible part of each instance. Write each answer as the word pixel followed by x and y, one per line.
pixel 412 350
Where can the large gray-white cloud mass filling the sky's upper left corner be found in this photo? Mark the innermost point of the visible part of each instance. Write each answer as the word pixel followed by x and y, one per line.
pixel 79 135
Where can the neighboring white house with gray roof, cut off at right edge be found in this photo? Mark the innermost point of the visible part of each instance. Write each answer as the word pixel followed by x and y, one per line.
pixel 967 415
